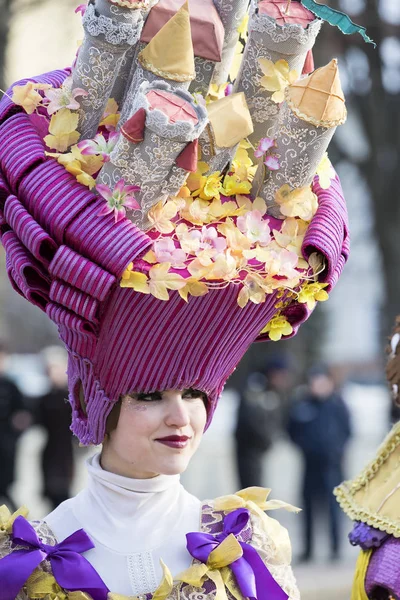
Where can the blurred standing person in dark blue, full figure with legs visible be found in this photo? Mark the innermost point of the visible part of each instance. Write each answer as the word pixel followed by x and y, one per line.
pixel 319 424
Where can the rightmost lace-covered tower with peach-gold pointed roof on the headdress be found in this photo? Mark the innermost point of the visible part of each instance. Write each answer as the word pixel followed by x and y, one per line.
pixel 314 106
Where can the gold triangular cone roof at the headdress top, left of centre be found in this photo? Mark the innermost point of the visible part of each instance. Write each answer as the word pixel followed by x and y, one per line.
pixel 170 53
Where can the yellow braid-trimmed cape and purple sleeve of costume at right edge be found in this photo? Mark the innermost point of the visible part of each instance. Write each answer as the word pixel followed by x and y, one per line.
pixel 372 501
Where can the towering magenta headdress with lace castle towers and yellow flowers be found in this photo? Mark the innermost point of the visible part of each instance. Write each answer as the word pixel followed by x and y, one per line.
pixel 161 221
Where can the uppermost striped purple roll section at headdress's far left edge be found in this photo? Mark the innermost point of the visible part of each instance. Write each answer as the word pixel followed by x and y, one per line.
pixel 21 148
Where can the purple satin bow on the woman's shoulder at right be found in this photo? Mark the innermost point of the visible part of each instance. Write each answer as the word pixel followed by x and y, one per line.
pixel 252 576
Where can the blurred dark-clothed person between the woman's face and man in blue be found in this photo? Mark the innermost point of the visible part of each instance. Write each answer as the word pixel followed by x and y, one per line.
pixel 261 411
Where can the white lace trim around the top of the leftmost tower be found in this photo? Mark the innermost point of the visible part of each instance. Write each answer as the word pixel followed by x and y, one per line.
pixel 114 33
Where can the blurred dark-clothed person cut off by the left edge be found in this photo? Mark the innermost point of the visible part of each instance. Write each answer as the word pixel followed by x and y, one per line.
pixel 14 419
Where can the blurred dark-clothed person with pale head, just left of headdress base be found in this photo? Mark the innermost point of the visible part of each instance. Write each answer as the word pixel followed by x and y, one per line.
pixel 54 414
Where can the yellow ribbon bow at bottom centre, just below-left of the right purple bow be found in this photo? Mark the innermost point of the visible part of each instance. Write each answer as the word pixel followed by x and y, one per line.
pixel 217 569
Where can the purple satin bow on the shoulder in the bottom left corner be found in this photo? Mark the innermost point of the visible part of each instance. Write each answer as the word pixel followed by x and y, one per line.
pixel 71 570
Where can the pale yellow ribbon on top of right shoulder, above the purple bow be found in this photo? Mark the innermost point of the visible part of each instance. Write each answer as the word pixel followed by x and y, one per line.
pixel 254 495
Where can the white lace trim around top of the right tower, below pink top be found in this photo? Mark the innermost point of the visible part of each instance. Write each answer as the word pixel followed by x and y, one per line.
pixel 281 33
